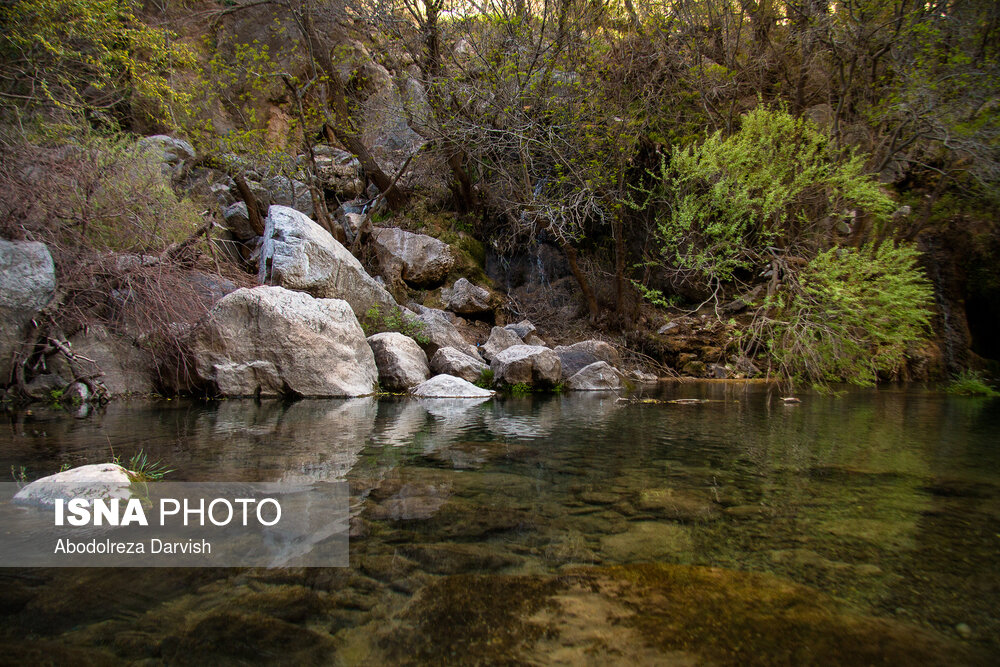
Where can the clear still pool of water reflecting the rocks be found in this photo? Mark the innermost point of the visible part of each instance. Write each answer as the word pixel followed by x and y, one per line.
pixel 884 502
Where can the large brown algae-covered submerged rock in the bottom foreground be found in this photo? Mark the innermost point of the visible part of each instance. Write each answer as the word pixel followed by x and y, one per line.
pixel 649 614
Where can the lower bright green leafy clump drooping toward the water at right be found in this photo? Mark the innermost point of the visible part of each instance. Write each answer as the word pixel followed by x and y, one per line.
pixel 848 316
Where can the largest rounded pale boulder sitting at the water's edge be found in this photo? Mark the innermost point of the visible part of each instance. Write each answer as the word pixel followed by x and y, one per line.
pixel 270 341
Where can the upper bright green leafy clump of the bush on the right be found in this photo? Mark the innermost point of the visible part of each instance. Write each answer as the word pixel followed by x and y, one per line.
pixel 724 205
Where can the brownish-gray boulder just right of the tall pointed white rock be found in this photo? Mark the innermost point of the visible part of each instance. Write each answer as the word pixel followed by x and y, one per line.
pixel 418 259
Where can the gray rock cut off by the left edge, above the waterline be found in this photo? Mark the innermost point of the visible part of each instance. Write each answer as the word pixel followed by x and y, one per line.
pixel 27 283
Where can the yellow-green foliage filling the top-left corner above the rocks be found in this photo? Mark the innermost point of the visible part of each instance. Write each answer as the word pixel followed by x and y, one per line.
pixel 92 56
